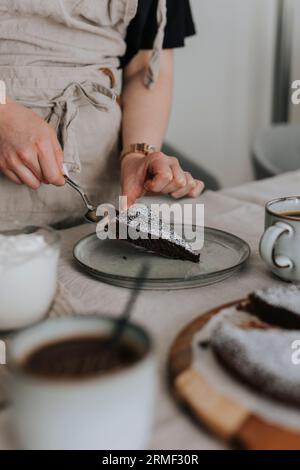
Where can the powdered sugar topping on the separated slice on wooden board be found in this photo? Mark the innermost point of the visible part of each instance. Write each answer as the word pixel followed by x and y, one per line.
pixel 283 297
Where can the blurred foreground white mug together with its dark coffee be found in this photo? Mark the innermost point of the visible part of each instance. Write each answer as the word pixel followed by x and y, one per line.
pixel 70 391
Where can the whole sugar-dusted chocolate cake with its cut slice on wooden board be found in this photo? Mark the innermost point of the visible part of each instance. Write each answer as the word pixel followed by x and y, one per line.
pixel 255 342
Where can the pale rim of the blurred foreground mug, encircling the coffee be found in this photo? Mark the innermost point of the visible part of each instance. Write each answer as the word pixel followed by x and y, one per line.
pixel 15 364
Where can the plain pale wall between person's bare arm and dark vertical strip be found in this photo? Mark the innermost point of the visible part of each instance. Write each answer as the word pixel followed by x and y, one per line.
pixel 223 85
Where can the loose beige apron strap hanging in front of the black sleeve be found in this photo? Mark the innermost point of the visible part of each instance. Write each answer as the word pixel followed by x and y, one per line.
pixel 152 73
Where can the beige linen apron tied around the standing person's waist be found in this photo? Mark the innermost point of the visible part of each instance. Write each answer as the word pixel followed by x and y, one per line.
pixel 51 53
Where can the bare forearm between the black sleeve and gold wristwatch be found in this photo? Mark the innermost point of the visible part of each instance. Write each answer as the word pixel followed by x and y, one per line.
pixel 146 112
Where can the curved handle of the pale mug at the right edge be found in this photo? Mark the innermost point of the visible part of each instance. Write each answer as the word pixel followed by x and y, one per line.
pixel 268 243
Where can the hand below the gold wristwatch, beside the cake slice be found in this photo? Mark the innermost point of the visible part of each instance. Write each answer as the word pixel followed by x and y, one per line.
pixel 156 174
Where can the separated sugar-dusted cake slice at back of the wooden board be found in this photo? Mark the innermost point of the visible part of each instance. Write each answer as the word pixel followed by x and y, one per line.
pixel 279 306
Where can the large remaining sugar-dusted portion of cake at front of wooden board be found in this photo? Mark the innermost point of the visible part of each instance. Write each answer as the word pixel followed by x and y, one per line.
pixel 259 355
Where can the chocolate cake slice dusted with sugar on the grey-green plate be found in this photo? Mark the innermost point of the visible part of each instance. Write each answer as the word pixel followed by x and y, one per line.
pixel 143 228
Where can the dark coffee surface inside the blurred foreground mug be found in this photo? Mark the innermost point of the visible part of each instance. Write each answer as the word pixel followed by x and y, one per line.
pixel 80 357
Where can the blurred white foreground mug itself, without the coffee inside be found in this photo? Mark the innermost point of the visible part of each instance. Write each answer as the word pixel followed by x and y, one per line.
pixel 110 411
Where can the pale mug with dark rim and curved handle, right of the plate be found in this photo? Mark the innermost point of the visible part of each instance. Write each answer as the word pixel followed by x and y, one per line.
pixel 280 244
